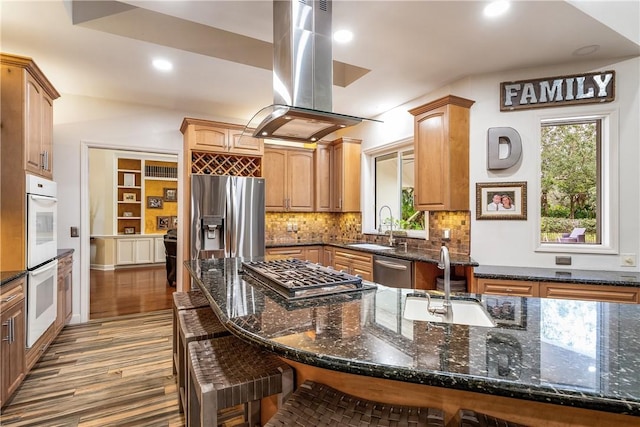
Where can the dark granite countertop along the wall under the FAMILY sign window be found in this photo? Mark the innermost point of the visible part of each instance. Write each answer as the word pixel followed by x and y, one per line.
pixel 564 275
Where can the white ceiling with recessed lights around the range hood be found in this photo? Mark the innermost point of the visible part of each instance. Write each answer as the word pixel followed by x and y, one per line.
pixel 221 50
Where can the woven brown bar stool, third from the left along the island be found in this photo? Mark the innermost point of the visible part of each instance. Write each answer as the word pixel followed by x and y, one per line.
pixel 227 372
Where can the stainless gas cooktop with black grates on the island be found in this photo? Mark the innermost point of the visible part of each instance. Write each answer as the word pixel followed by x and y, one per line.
pixel 294 278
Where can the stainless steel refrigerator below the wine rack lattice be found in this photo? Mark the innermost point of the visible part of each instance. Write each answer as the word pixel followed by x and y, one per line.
pixel 227 216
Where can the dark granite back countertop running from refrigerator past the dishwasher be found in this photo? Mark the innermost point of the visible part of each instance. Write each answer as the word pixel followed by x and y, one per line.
pixel 430 256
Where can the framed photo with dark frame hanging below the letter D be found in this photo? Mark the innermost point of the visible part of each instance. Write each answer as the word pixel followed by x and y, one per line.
pixel 501 200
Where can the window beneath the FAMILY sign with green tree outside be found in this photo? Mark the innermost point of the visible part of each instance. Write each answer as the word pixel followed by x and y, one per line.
pixel 576 186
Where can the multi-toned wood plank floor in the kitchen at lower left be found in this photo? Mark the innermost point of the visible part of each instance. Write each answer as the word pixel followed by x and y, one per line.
pixel 112 372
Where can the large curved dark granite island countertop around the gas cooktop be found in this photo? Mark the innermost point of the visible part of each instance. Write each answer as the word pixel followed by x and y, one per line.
pixel 564 352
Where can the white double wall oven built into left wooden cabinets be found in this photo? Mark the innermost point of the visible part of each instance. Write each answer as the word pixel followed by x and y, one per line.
pixel 42 251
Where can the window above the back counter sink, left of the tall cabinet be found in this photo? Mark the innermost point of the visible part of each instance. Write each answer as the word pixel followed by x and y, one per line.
pixel 394 183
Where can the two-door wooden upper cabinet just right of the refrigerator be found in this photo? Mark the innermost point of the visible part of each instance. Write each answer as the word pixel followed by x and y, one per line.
pixel 288 177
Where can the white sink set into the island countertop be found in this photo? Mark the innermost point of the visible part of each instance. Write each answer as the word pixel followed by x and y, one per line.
pixel 465 312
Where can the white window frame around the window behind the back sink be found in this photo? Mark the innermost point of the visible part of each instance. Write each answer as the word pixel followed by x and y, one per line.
pixel 370 214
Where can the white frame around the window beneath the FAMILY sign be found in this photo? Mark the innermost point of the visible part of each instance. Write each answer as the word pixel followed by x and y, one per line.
pixel 608 185
